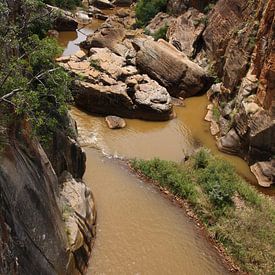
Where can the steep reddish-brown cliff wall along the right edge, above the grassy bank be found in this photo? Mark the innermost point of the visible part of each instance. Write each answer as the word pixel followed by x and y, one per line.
pixel 239 41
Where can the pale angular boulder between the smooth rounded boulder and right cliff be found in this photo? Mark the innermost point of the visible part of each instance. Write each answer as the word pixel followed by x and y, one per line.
pixel 185 31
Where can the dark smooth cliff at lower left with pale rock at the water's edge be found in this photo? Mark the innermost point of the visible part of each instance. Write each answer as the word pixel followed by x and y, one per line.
pixel 42 229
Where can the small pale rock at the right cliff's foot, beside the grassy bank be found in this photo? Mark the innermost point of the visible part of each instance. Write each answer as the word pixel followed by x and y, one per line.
pixel 264 172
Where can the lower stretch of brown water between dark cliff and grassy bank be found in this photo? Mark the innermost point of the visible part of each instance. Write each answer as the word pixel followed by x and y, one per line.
pixel 139 231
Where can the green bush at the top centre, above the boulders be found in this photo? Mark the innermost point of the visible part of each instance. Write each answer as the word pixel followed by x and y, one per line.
pixel 147 9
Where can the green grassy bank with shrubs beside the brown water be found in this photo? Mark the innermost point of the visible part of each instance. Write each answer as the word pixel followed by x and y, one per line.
pixel 236 215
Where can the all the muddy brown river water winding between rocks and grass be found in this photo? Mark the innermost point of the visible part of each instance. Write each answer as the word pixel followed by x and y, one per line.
pixel 138 230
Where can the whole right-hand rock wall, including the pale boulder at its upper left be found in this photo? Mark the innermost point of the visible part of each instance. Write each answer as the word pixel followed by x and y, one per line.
pixel 237 47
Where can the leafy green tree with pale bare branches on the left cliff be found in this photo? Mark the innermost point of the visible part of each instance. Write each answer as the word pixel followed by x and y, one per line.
pixel 30 81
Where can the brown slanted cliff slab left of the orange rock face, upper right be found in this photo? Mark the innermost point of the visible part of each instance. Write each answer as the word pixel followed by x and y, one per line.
pixel 228 38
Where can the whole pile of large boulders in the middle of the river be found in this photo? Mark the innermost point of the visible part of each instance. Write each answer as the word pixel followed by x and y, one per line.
pixel 126 73
